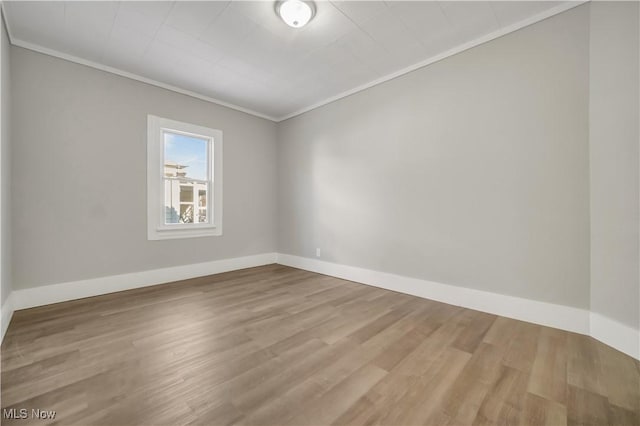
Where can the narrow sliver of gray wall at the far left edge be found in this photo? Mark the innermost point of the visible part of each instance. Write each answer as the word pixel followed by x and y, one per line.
pixel 5 167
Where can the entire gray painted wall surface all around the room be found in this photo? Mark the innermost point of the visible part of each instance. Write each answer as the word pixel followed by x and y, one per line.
pixel 473 171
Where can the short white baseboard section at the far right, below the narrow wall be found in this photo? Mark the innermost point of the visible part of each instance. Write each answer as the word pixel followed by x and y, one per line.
pixel 617 335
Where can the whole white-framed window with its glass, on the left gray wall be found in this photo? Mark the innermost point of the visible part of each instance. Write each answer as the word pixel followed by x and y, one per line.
pixel 184 180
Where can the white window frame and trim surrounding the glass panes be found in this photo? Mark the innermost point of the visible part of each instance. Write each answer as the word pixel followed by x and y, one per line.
pixel 157 229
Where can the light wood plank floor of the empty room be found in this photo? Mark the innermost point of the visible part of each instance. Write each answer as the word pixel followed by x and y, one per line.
pixel 275 345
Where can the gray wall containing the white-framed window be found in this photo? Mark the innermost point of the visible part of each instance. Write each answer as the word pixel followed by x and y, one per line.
pixel 79 173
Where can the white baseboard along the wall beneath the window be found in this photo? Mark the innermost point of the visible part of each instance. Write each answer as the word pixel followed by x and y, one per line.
pixel 62 292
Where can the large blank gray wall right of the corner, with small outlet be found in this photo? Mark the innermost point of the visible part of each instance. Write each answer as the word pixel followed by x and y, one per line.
pixel 472 171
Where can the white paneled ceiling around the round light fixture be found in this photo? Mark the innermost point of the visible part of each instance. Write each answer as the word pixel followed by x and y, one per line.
pixel 241 53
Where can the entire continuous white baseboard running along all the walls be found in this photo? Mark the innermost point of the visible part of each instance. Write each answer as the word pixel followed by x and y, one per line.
pixel 617 335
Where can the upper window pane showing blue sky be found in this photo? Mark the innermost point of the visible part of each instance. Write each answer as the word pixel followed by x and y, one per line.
pixel 185 156
